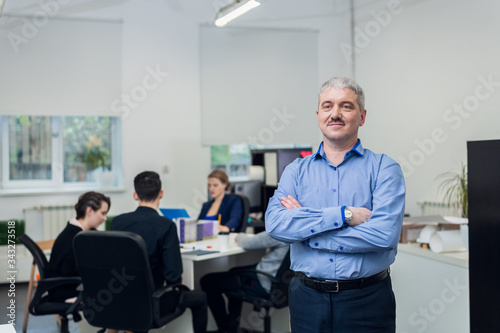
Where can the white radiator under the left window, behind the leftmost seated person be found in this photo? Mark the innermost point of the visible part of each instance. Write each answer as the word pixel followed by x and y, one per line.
pixel 46 222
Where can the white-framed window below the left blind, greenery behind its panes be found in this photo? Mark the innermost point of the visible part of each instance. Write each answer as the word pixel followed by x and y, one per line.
pixel 41 152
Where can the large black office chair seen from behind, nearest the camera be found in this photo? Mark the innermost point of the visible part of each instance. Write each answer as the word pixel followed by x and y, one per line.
pixel 118 289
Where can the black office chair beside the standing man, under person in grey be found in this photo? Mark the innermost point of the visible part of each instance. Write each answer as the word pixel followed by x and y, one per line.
pixel 278 295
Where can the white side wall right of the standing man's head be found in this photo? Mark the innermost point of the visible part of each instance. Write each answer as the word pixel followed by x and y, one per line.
pixel 430 57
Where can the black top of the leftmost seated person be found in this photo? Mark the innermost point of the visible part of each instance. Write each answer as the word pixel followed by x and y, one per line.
pixel 62 261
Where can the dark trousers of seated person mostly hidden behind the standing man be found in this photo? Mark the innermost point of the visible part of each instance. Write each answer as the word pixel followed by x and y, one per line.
pixel 216 284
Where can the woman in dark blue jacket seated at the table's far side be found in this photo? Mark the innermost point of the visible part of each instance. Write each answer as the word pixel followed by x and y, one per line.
pixel 226 206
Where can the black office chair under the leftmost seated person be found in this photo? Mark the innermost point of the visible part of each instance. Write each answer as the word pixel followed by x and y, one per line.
pixel 41 304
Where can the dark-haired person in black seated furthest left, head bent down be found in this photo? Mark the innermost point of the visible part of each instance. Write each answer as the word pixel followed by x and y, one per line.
pixel 91 210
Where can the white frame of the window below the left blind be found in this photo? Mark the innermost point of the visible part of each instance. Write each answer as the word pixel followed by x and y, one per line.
pixel 57 184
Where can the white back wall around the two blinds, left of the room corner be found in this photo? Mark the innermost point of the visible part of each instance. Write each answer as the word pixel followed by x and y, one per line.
pixel 164 129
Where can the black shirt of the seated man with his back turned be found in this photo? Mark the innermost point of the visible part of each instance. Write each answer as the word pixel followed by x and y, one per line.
pixel 160 236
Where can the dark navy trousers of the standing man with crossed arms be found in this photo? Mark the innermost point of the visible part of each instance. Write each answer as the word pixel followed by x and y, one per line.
pixel 370 309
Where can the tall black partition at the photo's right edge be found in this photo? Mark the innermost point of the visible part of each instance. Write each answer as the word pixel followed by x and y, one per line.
pixel 484 235
